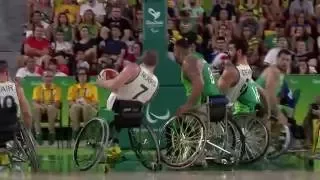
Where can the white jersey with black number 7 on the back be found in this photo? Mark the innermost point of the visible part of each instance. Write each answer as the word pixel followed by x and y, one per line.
pixel 142 88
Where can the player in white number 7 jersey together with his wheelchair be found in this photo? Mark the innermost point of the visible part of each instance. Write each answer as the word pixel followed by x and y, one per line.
pixel 133 87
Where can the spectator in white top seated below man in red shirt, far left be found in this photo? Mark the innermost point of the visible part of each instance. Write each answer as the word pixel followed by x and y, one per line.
pixel 28 70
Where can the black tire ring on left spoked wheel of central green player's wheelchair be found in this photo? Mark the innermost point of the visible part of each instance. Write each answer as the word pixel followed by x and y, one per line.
pixel 191 160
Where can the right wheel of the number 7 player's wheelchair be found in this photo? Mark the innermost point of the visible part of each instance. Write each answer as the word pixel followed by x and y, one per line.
pixel 145 145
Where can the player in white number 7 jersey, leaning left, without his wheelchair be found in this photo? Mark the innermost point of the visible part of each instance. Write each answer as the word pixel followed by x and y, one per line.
pixel 135 82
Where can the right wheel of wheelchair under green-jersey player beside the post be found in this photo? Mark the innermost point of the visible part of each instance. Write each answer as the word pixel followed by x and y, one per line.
pixel 225 144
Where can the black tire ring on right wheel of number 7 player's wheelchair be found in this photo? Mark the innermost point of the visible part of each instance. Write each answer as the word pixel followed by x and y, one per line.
pixel 153 166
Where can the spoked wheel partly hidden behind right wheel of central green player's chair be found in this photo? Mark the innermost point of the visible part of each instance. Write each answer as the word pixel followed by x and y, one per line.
pixel 256 137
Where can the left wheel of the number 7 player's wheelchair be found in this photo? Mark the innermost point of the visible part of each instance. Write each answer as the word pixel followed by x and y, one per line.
pixel 90 144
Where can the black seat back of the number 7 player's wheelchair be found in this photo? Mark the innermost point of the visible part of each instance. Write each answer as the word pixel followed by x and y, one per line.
pixel 129 113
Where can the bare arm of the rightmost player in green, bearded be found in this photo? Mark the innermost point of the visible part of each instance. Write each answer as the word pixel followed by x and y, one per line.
pixel 272 78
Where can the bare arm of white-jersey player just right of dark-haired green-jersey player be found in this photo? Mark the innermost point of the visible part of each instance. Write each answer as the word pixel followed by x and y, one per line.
pixel 227 78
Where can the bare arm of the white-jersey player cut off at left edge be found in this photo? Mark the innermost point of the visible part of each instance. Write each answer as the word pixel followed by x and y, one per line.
pixel 24 106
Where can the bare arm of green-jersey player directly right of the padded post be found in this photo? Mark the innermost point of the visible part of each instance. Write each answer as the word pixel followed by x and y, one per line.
pixel 192 71
